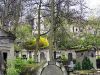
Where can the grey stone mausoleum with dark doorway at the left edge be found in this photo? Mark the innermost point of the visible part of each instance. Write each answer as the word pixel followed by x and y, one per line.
pixel 6 49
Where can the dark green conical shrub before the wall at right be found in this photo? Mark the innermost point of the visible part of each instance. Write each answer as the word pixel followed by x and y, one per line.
pixel 86 64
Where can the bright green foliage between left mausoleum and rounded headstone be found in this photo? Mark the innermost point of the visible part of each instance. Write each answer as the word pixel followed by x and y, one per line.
pixel 18 66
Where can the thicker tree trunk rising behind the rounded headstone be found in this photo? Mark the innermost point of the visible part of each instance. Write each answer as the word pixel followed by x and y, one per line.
pixel 51 35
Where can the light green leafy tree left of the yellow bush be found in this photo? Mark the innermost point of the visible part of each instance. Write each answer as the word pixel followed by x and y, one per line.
pixel 23 33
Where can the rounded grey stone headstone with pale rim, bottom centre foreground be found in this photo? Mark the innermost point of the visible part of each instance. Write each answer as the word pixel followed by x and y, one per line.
pixel 52 68
